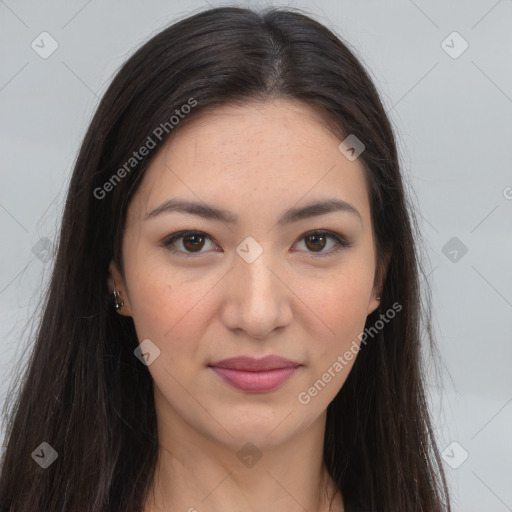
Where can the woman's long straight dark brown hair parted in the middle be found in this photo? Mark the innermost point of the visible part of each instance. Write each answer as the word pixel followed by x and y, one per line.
pixel 87 395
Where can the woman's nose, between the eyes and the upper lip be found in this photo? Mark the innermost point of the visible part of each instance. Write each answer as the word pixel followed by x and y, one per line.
pixel 258 300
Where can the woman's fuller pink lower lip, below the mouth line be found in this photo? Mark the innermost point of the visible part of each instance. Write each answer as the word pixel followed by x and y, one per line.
pixel 260 381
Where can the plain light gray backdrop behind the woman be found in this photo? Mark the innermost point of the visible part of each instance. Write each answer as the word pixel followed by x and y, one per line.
pixel 452 118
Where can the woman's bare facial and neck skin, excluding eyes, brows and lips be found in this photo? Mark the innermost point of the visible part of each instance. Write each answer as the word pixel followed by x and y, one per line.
pixel 256 161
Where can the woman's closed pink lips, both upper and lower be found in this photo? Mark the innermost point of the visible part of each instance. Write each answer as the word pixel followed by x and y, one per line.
pixel 256 375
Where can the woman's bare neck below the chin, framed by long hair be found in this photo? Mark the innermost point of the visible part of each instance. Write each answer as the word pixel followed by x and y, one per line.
pixel 195 473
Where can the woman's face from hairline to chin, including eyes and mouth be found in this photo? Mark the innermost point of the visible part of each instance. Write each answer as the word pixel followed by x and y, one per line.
pixel 263 280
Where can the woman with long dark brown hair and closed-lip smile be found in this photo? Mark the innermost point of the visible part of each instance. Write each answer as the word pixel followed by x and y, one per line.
pixel 233 320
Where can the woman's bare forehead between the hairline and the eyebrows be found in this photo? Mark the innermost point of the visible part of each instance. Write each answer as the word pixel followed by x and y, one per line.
pixel 253 158
